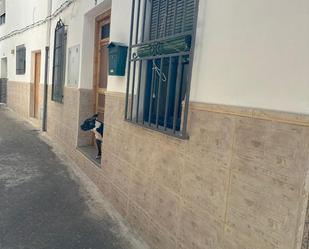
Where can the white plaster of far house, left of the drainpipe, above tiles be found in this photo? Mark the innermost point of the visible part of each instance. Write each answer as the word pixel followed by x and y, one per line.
pixel 20 14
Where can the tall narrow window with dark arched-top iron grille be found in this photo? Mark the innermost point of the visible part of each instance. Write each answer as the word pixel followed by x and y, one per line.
pixel 59 62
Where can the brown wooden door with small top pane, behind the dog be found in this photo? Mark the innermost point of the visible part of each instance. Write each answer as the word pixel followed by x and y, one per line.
pixel 101 62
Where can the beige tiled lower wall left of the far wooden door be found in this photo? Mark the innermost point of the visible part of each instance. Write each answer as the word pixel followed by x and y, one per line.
pixel 18 97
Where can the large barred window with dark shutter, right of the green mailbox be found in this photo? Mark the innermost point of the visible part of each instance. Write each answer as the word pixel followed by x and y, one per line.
pixel 160 64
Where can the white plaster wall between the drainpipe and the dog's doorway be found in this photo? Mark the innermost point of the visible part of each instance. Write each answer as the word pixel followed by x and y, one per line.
pixel 79 18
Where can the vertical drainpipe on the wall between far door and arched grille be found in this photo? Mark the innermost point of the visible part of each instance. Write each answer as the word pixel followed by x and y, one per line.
pixel 48 31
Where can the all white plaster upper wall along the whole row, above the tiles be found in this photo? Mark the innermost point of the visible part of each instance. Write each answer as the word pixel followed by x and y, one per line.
pixel 252 54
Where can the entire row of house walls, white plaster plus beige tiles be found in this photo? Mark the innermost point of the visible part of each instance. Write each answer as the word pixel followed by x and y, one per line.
pixel 240 180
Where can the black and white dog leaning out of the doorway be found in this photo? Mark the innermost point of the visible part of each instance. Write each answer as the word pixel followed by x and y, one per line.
pixel 97 127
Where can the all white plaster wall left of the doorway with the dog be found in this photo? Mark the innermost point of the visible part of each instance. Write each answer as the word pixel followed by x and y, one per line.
pixel 79 19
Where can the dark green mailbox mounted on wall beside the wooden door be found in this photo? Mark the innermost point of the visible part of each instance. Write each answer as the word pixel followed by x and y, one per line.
pixel 117 58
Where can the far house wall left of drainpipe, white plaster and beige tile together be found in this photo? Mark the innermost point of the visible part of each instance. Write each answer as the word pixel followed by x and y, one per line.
pixel 20 87
